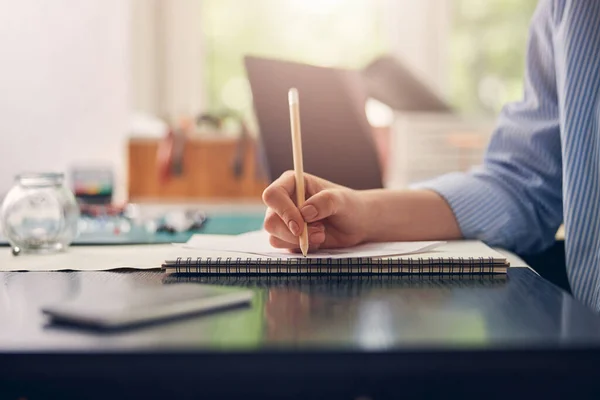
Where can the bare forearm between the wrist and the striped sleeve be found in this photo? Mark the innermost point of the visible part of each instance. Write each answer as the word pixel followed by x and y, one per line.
pixel 407 215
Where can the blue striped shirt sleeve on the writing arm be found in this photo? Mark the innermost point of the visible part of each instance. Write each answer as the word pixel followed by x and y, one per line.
pixel 514 199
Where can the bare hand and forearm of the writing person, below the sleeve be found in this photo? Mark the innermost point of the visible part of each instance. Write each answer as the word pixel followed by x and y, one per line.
pixel 341 217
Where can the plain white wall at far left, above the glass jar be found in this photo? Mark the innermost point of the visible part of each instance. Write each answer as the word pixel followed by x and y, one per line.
pixel 64 85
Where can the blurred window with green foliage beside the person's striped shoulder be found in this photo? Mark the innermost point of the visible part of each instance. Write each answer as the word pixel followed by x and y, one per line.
pixel 487 53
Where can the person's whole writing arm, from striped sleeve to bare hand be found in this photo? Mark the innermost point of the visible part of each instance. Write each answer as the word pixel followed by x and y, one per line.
pixel 514 200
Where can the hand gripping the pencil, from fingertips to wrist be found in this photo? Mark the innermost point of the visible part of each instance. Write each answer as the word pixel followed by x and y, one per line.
pixel 336 216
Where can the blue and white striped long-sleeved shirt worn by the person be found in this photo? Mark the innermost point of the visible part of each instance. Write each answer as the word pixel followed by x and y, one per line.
pixel 542 165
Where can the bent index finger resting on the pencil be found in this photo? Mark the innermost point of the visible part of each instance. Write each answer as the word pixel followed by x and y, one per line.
pixel 278 197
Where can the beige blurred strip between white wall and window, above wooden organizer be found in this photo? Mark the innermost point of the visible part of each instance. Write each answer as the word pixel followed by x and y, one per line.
pixel 167 57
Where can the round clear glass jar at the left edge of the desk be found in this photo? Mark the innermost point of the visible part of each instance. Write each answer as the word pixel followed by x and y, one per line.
pixel 40 214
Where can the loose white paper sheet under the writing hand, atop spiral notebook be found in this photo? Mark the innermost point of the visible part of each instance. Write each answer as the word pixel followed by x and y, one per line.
pixel 258 243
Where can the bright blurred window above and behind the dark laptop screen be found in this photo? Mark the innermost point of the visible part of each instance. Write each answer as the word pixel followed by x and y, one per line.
pixel 343 33
